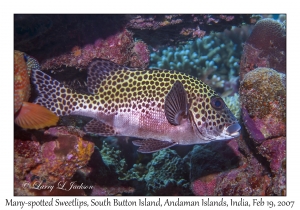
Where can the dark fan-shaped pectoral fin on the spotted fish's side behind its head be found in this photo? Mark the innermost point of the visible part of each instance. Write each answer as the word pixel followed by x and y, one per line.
pixel 176 105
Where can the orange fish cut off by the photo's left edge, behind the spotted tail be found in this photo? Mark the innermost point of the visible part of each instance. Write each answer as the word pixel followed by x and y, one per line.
pixel 28 115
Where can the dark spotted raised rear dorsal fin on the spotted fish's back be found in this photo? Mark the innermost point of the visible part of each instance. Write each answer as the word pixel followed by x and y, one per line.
pixel 98 70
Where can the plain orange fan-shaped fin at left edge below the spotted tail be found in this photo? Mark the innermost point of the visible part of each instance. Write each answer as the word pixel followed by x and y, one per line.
pixel 34 116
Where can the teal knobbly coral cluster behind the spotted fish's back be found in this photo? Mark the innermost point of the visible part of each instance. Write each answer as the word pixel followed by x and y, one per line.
pixel 200 57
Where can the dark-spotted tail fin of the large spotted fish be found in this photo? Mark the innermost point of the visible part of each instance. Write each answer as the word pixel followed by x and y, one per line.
pixel 53 95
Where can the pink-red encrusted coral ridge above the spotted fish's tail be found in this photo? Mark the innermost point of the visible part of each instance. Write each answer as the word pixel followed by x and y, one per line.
pixel 119 48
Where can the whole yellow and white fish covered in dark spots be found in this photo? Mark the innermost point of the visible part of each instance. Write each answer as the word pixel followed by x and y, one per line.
pixel 159 108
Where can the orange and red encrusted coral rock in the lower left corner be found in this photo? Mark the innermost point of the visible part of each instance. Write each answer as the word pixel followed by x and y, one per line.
pixel 49 162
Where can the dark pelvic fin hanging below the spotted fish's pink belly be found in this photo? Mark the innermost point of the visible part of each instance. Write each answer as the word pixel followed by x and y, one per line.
pixel 152 145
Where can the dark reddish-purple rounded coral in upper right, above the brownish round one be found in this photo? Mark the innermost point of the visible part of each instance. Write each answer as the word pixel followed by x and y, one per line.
pixel 265 47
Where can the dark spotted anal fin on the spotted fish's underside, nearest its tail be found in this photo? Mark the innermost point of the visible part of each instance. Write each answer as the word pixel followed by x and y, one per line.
pixel 100 128
